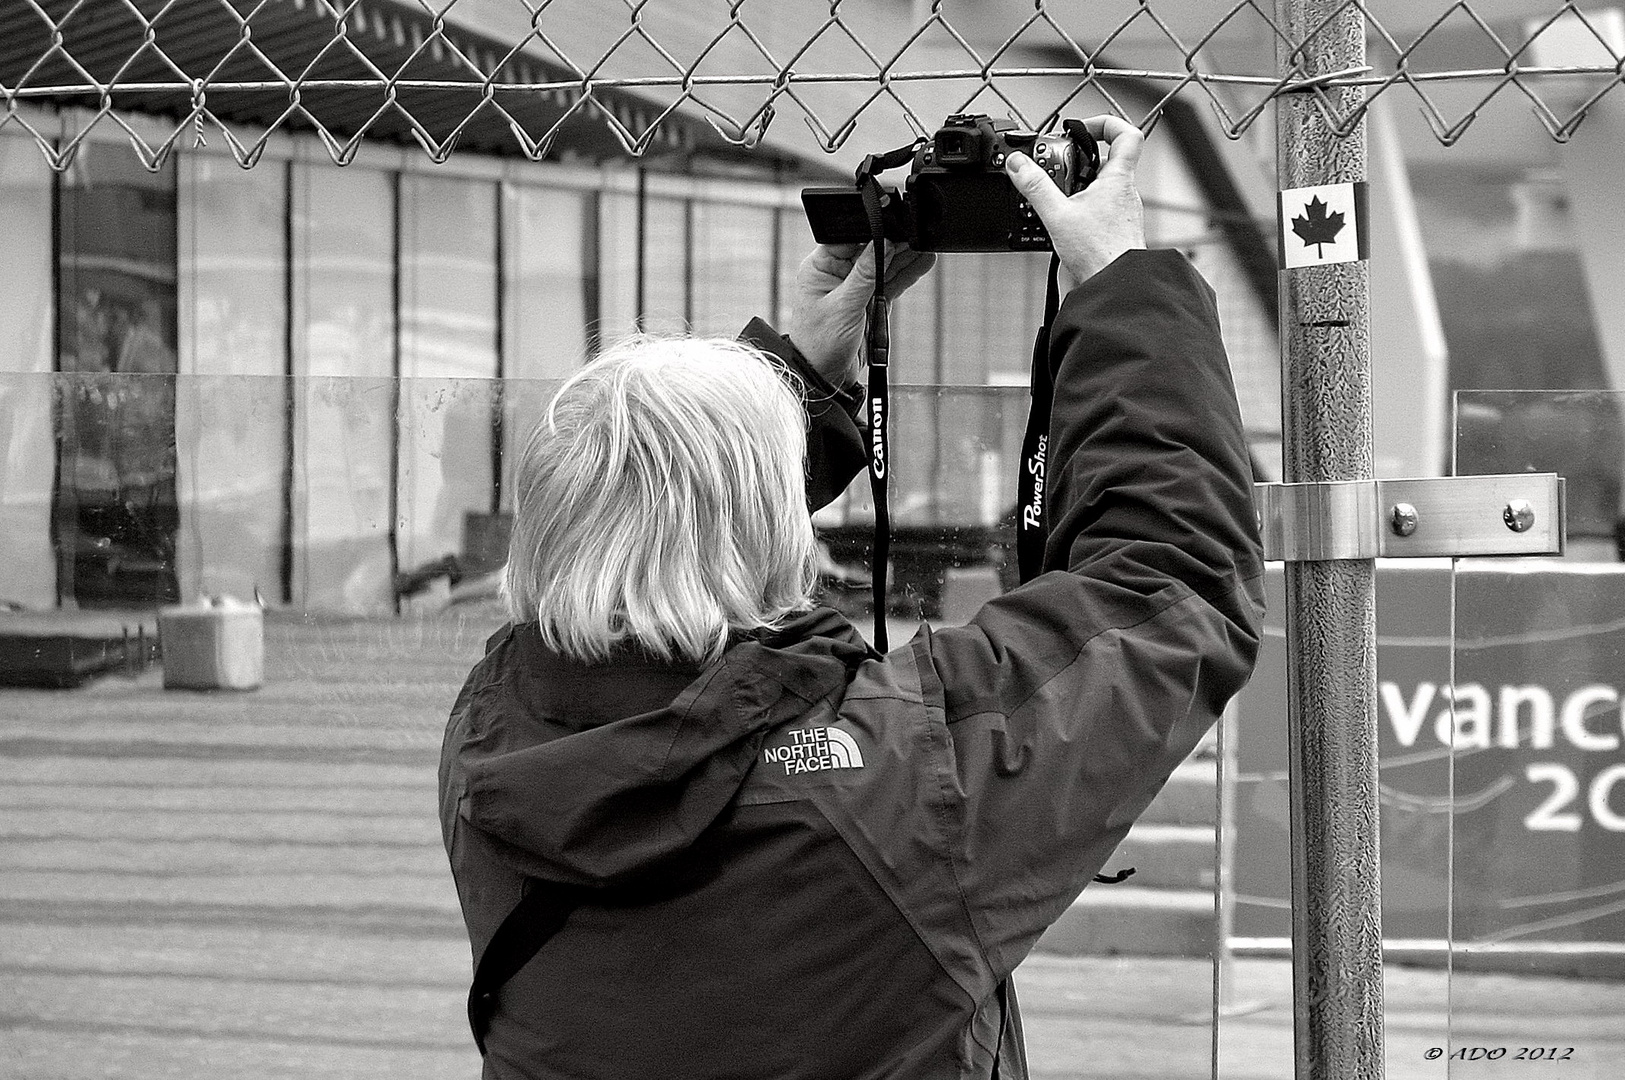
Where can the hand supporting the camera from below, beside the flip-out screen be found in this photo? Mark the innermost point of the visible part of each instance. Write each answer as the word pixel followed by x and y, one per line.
pixel 831 295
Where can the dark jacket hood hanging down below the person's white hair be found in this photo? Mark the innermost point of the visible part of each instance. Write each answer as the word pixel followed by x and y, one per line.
pixel 596 798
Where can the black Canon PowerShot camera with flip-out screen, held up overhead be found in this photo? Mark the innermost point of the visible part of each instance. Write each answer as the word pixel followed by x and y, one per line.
pixel 958 197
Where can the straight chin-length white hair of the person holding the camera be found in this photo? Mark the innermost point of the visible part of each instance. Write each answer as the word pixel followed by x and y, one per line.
pixel 662 503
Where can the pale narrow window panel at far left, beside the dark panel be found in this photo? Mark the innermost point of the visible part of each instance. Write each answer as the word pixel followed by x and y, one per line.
pixel 28 574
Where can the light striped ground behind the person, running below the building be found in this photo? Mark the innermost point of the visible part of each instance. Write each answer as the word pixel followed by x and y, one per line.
pixel 253 886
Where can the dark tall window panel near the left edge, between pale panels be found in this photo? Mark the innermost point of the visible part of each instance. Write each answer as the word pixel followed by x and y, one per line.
pixel 116 506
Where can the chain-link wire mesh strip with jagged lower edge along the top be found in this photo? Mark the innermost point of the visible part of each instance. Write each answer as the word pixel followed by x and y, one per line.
pixel 514 76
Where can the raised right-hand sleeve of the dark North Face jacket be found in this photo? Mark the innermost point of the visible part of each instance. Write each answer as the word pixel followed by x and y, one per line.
pixel 1073 698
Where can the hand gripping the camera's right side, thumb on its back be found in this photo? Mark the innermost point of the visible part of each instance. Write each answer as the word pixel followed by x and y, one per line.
pixel 1103 222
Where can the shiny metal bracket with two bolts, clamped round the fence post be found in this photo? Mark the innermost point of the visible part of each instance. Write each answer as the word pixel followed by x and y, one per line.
pixel 1514 514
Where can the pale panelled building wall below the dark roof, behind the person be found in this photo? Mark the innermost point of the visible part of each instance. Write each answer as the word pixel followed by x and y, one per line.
pixel 303 381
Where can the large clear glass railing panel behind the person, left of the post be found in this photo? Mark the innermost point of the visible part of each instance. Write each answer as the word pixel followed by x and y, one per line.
pixel 264 871
